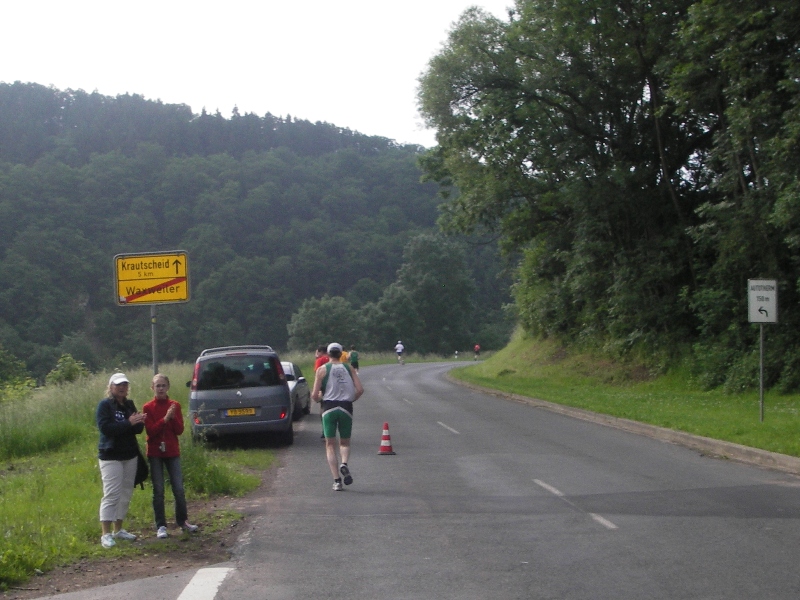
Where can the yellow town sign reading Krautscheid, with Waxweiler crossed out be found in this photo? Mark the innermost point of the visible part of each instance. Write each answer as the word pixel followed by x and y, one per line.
pixel 152 278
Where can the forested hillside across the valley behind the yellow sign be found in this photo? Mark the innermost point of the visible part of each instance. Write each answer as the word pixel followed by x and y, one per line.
pixel 275 214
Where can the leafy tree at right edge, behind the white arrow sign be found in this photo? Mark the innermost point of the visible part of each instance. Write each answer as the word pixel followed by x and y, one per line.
pixel 736 72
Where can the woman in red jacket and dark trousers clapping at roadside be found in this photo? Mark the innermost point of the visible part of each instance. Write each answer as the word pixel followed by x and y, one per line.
pixel 164 423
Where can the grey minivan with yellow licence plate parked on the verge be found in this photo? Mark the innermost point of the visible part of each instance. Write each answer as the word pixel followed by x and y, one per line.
pixel 240 390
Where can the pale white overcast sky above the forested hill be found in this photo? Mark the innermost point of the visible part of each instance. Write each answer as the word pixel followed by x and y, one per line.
pixel 352 63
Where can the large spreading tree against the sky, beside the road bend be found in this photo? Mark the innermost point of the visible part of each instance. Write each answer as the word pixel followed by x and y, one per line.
pixel 556 131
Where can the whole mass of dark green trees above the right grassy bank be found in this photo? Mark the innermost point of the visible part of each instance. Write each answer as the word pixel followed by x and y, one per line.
pixel 643 157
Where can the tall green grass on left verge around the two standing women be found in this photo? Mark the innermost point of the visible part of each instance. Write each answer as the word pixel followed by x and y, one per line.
pixel 50 485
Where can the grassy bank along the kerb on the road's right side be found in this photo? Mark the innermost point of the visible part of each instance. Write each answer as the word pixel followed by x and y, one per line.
pixel 675 400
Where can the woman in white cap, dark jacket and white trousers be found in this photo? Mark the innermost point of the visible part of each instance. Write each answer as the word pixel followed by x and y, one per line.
pixel 118 451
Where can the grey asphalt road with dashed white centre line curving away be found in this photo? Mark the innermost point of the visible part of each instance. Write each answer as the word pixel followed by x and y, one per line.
pixel 487 498
